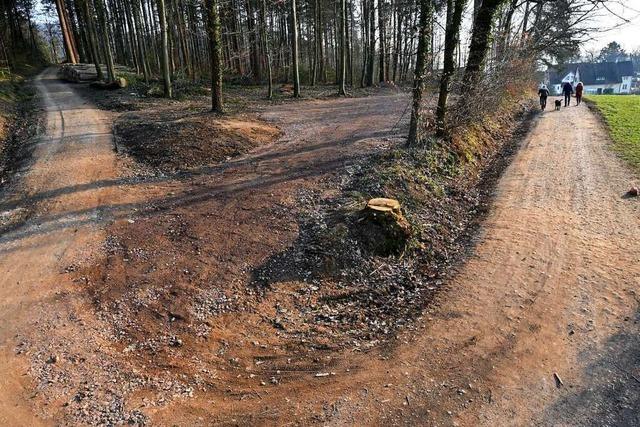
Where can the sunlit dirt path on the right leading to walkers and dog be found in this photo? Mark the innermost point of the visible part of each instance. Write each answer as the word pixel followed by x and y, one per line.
pixel 552 287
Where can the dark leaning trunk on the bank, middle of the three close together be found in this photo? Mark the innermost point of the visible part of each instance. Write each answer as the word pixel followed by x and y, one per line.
pixel 455 9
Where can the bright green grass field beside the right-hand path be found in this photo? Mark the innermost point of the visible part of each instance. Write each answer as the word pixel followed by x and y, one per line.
pixel 622 114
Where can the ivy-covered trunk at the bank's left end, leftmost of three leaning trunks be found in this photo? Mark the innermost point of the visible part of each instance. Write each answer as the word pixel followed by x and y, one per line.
pixel 424 28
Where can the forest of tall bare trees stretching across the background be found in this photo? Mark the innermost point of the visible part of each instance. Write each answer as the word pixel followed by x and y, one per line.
pixel 344 43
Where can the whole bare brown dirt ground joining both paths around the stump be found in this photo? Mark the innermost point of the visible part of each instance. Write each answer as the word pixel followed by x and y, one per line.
pixel 131 295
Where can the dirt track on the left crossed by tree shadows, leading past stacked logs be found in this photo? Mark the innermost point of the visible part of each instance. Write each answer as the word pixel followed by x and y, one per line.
pixel 58 195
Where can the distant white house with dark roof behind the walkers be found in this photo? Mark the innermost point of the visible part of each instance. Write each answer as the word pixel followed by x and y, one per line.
pixel 598 78
